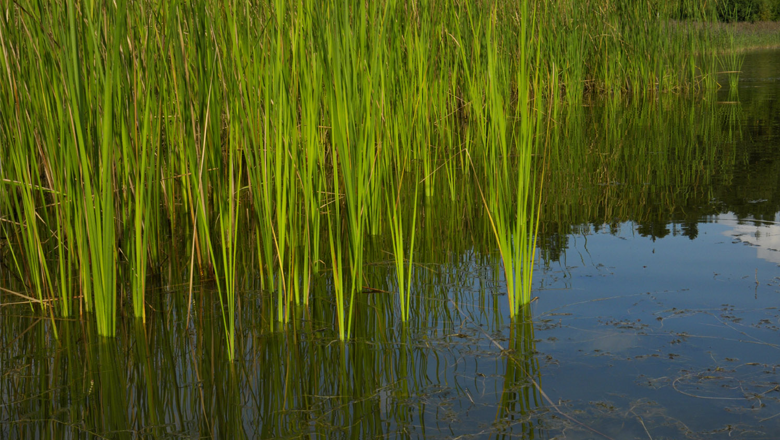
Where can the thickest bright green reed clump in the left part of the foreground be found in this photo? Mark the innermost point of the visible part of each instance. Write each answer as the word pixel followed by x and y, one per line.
pixel 95 163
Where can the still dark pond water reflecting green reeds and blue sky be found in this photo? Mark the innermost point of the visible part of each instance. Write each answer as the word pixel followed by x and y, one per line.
pixel 656 311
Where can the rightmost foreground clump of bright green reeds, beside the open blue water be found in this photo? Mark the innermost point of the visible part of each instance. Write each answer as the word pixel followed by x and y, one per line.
pixel 514 229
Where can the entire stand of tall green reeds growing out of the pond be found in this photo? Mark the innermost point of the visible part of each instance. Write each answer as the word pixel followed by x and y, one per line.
pixel 298 129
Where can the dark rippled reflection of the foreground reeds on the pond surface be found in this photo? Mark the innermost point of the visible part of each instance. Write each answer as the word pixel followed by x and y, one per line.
pixel 164 381
